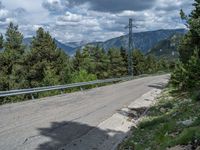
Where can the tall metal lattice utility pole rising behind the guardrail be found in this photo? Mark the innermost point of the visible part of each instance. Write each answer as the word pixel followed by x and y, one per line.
pixel 130 47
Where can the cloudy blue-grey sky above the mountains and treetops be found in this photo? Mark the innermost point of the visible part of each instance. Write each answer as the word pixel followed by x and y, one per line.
pixel 91 20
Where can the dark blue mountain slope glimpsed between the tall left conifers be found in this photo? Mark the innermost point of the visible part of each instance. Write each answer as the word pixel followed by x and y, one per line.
pixel 69 50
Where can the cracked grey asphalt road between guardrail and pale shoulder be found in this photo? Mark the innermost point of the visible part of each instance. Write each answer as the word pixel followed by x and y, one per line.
pixel 54 122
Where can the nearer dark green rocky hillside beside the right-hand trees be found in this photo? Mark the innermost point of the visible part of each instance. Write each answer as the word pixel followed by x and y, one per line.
pixel 168 48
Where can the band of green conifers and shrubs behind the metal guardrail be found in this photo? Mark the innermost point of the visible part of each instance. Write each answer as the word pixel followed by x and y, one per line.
pixel 44 64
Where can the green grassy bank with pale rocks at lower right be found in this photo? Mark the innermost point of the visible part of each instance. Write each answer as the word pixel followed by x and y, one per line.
pixel 164 125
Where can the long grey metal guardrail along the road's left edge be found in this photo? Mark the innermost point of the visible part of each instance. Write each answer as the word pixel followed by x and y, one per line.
pixel 58 87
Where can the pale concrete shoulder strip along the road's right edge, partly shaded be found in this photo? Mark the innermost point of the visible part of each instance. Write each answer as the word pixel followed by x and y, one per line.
pixel 117 127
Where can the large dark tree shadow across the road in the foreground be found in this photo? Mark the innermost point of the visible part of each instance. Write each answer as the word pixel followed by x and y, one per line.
pixel 66 136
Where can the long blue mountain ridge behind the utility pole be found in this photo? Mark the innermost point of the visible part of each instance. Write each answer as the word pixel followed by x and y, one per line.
pixel 142 40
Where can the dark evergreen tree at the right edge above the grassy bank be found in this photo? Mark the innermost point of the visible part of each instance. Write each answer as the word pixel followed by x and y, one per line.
pixel 187 74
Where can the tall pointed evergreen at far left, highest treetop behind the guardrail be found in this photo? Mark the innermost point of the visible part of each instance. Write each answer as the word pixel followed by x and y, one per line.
pixel 13 58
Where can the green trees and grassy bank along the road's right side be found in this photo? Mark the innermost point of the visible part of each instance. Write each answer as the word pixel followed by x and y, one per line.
pixel 174 122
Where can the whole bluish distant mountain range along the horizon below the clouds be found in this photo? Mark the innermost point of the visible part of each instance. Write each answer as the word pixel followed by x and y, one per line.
pixel 144 41
